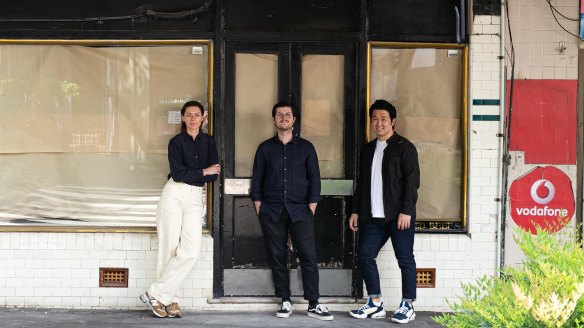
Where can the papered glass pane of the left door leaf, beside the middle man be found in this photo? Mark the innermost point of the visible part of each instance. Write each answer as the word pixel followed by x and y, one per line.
pixel 256 92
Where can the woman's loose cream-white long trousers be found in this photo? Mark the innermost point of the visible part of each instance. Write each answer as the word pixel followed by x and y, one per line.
pixel 178 223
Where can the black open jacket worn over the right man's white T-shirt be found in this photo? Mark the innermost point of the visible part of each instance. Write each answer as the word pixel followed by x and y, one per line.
pixel 400 173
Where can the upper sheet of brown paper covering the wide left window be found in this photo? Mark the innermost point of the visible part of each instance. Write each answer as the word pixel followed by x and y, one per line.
pixel 75 98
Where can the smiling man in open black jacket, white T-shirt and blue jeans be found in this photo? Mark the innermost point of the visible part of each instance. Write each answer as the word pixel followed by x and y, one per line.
pixel 384 207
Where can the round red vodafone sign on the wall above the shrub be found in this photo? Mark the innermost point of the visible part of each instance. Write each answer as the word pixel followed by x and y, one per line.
pixel 542 197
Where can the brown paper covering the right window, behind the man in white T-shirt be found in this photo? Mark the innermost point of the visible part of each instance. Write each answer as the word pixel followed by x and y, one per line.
pixel 424 85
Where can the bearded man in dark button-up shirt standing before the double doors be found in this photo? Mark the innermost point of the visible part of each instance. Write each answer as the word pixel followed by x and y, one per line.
pixel 285 189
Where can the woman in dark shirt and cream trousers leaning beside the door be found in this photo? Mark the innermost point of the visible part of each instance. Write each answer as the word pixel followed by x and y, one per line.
pixel 193 161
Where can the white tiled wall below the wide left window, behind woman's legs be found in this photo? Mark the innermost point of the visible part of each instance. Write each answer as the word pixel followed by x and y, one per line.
pixel 62 269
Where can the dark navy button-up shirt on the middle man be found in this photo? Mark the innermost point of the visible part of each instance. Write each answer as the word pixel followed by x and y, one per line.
pixel 286 176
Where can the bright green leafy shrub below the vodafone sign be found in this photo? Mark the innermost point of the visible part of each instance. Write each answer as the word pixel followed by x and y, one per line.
pixel 547 290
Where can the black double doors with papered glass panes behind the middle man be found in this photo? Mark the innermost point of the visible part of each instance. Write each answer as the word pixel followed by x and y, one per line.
pixel 320 81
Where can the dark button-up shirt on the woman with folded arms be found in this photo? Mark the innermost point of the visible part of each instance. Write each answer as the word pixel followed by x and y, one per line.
pixel 187 158
